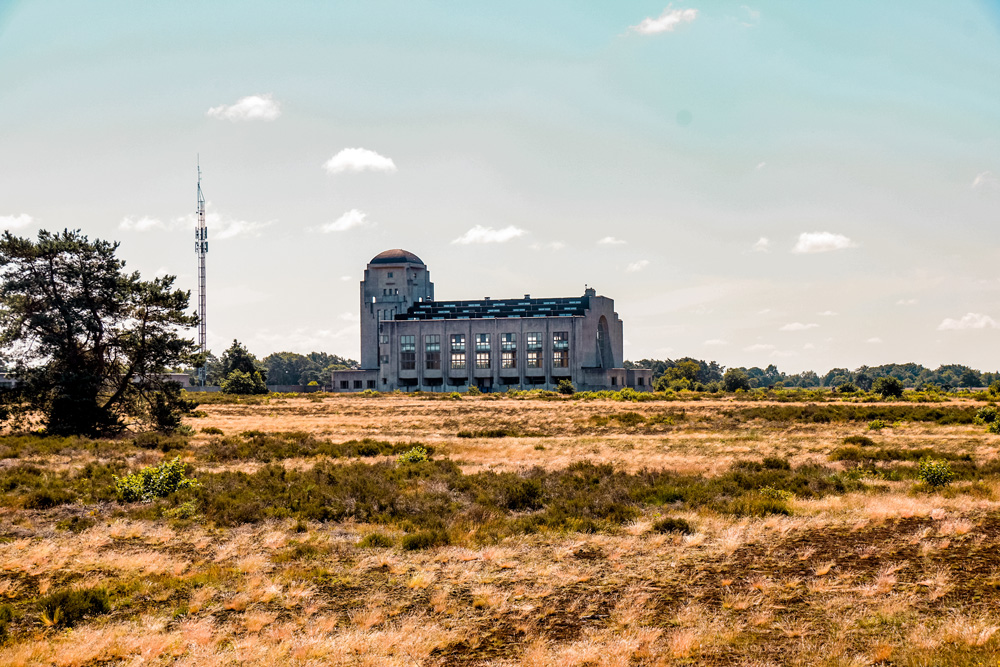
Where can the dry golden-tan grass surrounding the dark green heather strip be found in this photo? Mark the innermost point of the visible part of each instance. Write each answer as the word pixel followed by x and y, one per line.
pixel 893 577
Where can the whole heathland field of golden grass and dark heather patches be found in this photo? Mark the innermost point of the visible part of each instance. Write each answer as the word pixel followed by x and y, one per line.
pixel 775 528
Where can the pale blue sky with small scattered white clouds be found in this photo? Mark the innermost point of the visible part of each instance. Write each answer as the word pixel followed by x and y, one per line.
pixel 807 184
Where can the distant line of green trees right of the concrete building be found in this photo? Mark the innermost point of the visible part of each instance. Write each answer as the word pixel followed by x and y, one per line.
pixel 912 375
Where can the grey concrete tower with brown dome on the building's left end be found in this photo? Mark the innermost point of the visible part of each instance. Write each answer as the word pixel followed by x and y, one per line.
pixel 394 281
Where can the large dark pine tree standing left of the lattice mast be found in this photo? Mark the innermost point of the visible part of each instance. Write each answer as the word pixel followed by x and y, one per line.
pixel 100 338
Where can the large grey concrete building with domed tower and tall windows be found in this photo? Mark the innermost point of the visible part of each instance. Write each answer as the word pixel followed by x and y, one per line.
pixel 411 341
